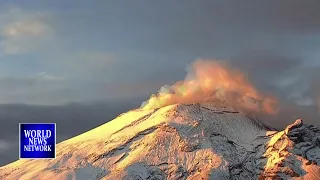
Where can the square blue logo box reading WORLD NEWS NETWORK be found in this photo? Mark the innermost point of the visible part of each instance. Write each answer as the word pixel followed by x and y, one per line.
pixel 37 140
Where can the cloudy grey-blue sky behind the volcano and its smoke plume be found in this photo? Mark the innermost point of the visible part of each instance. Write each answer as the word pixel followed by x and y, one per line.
pixel 119 52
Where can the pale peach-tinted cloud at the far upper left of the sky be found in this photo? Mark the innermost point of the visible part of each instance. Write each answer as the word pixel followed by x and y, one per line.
pixel 23 31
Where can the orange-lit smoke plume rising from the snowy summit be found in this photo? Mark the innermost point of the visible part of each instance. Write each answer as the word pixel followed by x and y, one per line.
pixel 213 80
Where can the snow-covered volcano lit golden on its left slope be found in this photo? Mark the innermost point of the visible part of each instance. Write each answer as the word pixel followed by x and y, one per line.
pixel 207 140
